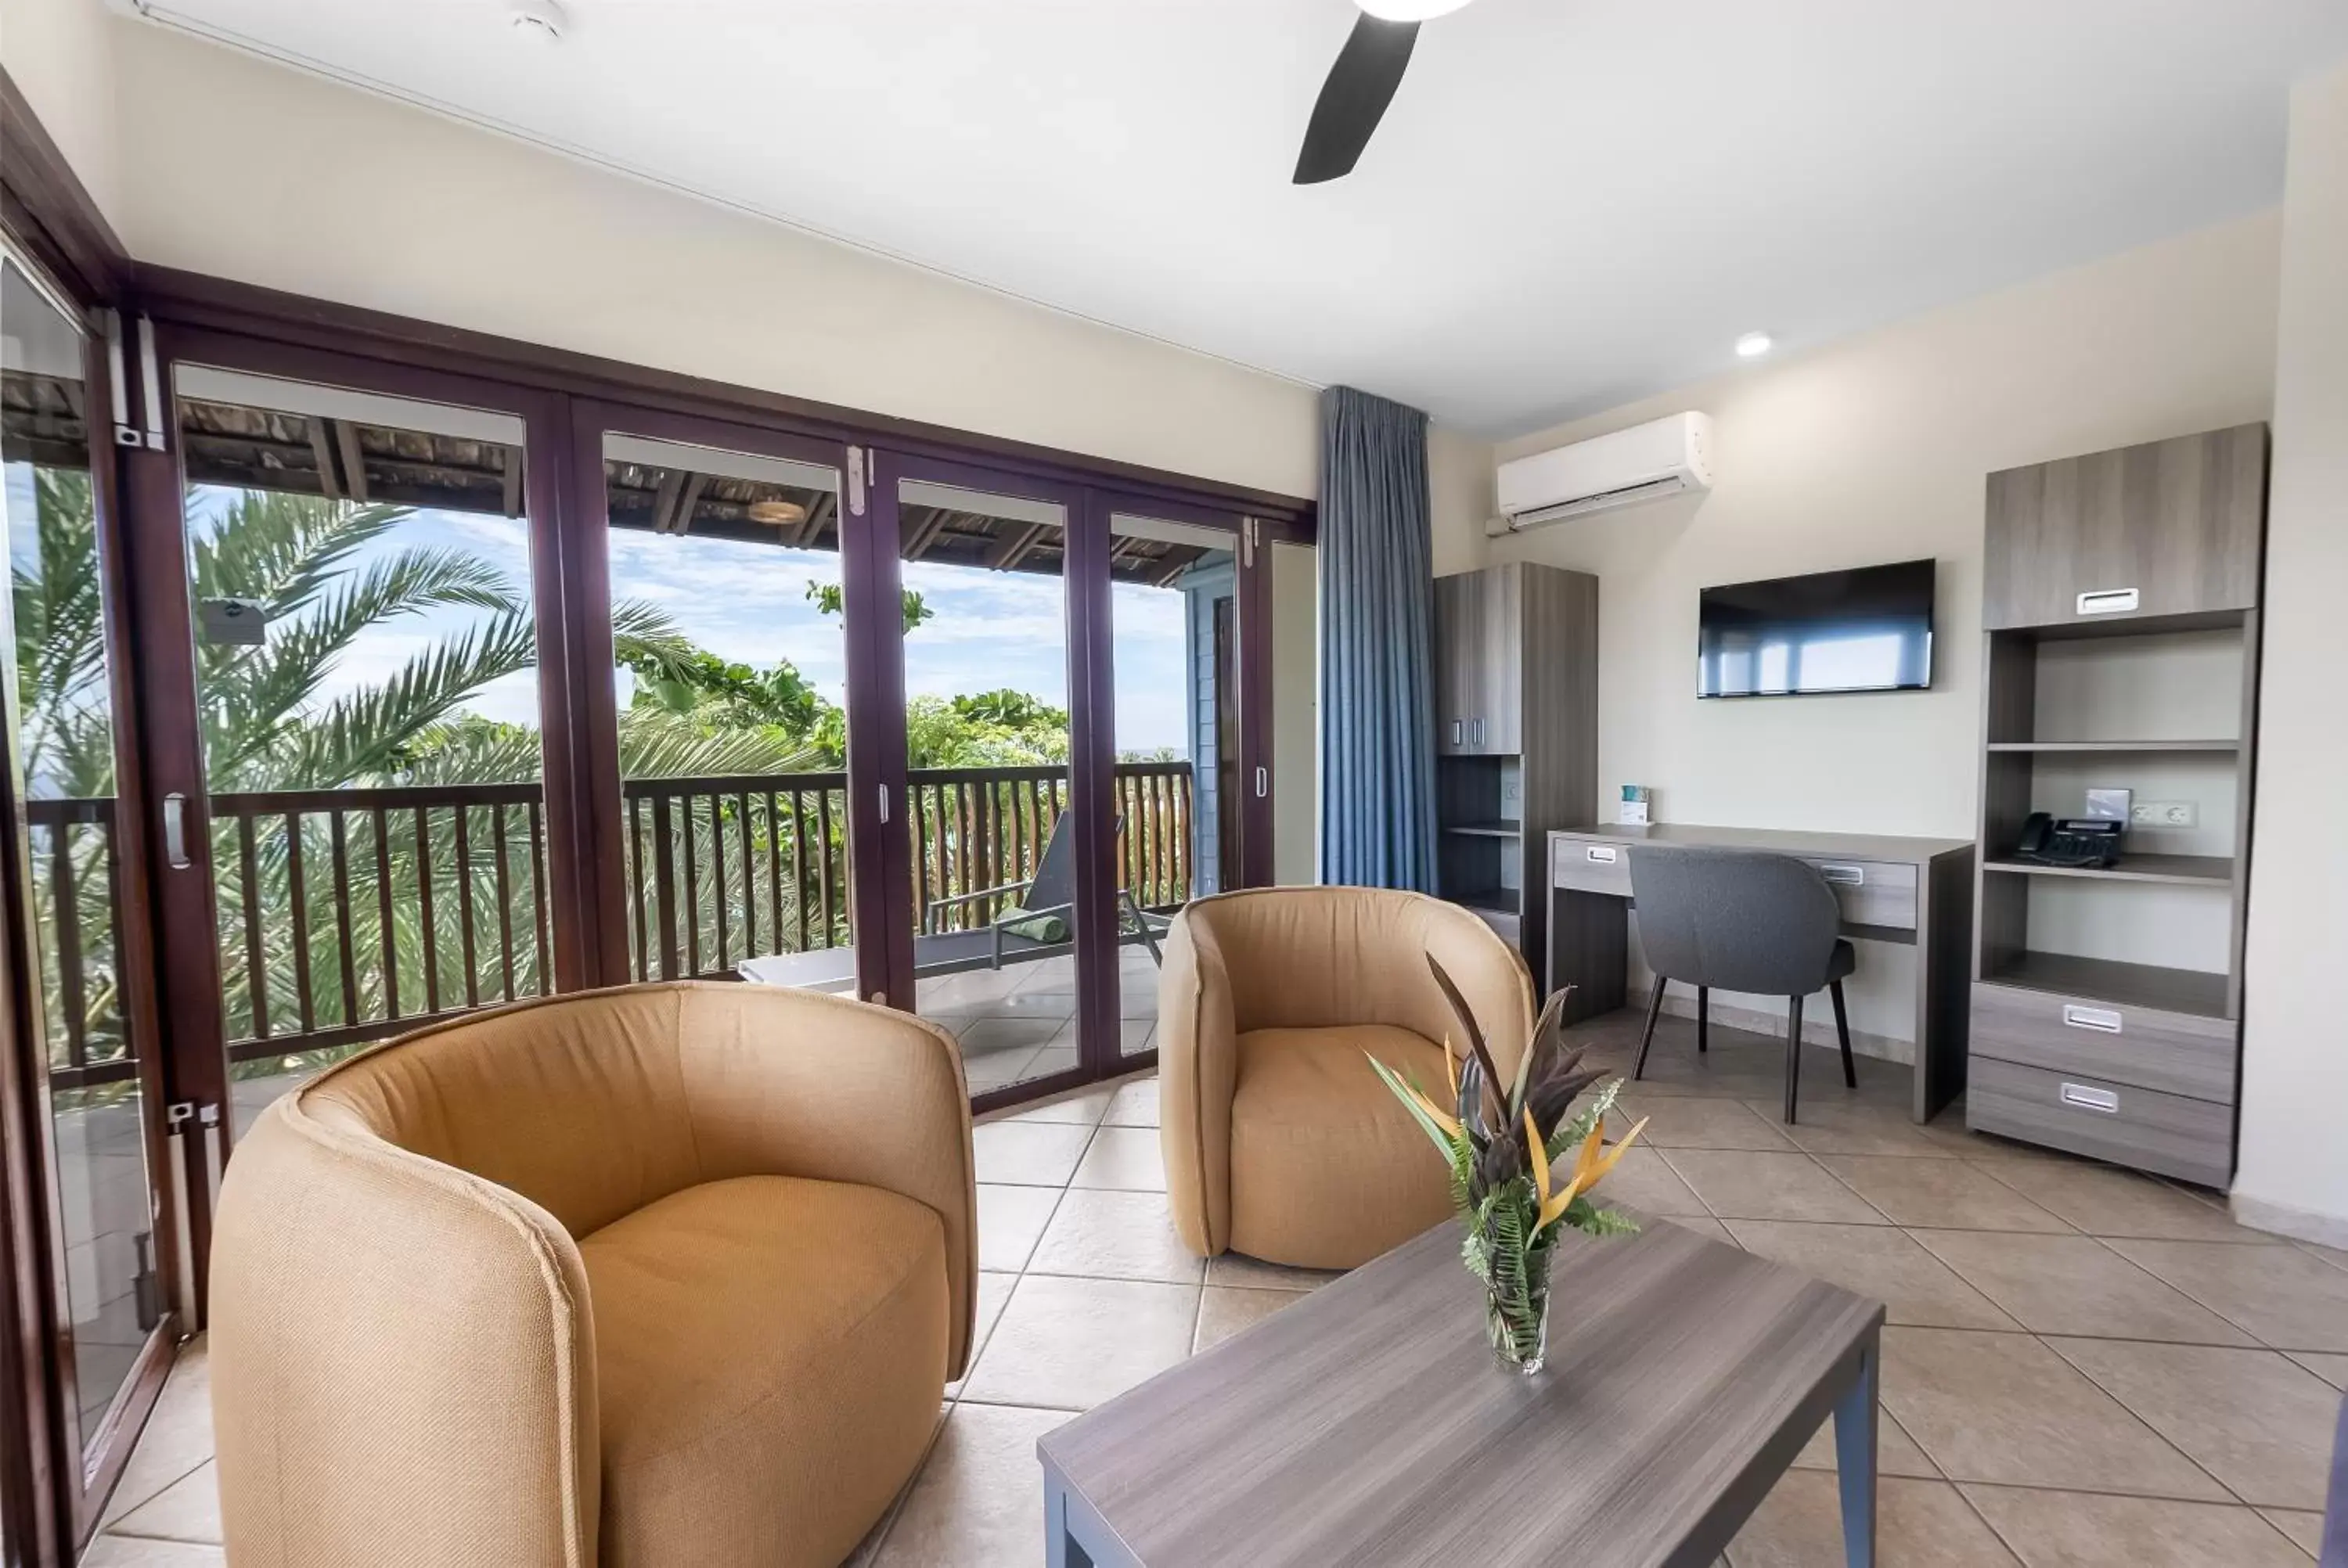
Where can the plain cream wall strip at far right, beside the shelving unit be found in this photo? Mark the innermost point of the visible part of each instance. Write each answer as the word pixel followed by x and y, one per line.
pixel 2295 1057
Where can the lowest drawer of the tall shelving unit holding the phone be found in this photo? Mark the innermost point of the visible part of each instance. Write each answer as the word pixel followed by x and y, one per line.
pixel 2105 1121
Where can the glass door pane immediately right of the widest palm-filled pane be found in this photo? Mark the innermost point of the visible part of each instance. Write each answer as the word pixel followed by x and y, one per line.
pixel 734 726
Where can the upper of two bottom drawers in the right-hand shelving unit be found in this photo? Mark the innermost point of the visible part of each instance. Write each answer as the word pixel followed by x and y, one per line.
pixel 2128 1046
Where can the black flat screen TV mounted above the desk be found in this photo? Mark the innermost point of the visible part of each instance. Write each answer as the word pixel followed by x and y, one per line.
pixel 1865 630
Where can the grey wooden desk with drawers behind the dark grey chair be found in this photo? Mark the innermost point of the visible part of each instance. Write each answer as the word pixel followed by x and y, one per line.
pixel 1905 891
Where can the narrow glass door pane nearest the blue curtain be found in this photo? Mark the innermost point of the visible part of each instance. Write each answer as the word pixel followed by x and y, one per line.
pixel 1178 788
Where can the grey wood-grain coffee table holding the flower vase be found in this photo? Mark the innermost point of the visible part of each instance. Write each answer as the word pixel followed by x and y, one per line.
pixel 1372 1426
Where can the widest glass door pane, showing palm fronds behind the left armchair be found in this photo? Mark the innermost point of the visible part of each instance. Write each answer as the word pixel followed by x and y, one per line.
pixel 367 691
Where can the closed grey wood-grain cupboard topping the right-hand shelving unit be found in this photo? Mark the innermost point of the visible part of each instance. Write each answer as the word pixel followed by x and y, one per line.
pixel 2143 532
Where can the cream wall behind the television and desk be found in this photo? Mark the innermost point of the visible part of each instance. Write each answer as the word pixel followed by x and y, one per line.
pixel 1875 450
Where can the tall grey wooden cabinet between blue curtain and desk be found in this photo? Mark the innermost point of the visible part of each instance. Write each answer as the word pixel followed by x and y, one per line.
pixel 1516 736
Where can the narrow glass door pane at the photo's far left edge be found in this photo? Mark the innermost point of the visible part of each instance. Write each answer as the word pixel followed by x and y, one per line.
pixel 65 764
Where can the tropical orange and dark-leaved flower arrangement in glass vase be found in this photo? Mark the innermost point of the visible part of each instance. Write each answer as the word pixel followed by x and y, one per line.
pixel 1520 1165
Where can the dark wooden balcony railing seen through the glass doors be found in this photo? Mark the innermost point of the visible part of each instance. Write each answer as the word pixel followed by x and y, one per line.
pixel 356 914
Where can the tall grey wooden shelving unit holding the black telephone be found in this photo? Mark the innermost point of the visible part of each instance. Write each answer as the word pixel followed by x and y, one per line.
pixel 2107 1001
